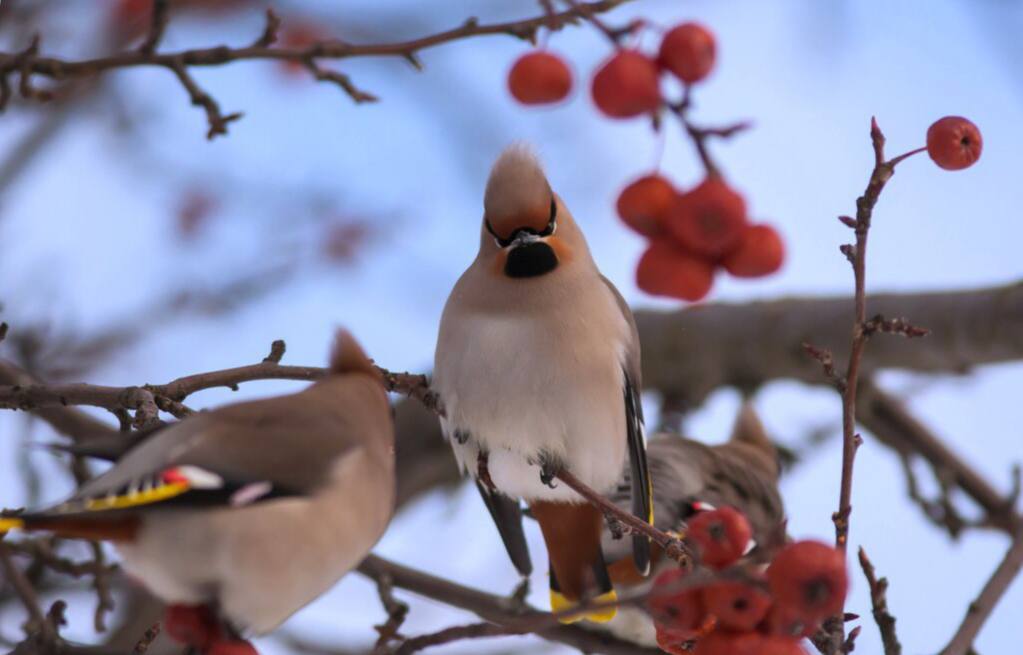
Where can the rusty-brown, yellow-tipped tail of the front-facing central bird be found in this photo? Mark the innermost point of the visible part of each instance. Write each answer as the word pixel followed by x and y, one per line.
pixel 579 572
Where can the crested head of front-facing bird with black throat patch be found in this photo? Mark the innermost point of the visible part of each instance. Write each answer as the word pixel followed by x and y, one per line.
pixel 527 231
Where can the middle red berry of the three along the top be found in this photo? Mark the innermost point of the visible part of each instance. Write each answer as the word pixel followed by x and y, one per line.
pixel 627 85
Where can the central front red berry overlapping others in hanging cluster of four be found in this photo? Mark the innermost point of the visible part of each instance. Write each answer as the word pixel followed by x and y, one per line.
pixel 710 220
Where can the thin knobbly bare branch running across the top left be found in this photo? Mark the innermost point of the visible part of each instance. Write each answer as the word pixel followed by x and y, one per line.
pixel 29 63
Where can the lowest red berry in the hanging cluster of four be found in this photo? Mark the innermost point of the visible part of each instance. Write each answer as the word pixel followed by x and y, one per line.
pixel 666 270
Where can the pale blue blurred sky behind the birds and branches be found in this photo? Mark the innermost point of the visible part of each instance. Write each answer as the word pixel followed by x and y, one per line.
pixel 91 240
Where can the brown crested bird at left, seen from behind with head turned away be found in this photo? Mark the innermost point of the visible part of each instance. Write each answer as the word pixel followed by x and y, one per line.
pixel 241 516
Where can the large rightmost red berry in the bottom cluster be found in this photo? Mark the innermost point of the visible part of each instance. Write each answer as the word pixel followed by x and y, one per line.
pixel 810 578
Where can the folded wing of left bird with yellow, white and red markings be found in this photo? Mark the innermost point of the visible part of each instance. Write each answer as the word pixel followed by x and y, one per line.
pixel 236 456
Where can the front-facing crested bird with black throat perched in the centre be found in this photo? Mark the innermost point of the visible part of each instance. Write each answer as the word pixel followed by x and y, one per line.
pixel 538 367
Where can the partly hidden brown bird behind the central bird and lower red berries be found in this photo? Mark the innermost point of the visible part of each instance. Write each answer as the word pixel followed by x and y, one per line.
pixel 691 477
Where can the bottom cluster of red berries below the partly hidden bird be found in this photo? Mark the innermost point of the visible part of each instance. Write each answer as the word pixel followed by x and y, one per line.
pixel 755 614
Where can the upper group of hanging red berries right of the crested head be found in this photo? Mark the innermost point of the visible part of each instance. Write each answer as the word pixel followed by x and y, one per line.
pixel 692 234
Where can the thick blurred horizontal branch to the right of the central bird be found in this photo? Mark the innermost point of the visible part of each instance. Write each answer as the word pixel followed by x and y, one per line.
pixel 689 354
